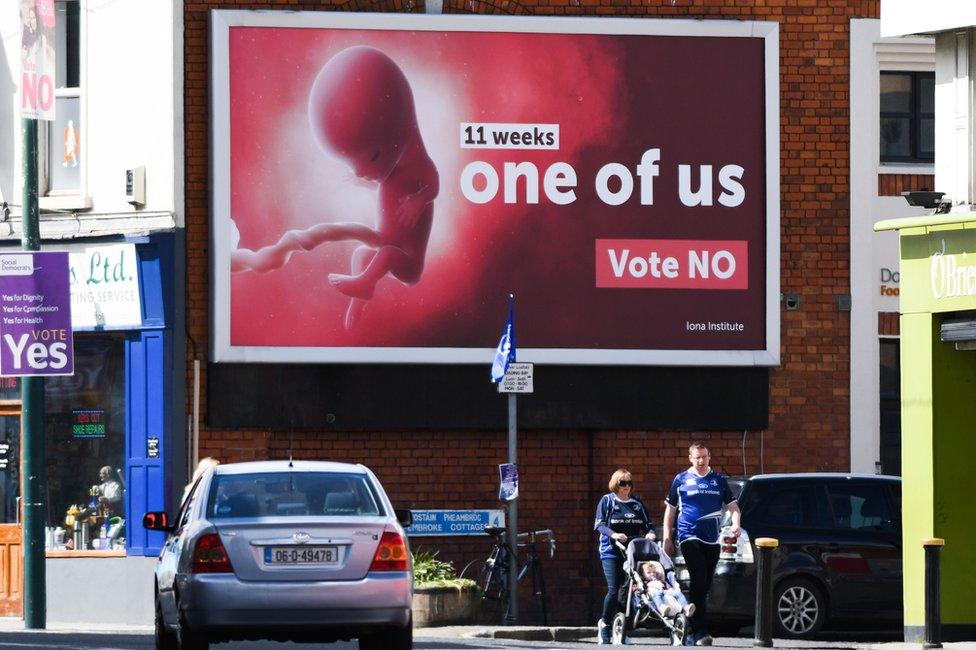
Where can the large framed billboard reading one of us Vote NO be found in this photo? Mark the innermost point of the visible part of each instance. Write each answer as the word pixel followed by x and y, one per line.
pixel 381 183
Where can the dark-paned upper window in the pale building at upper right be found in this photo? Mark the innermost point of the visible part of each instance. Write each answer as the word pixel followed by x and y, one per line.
pixel 908 117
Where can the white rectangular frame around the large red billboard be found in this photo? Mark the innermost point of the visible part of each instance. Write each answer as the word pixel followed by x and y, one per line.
pixel 221 349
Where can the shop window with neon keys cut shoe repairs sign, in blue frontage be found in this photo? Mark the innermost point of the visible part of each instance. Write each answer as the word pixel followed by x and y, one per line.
pixel 84 425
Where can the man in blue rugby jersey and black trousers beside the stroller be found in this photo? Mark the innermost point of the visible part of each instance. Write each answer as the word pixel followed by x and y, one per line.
pixel 696 498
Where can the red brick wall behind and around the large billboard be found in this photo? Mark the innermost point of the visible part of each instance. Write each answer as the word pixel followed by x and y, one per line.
pixel 564 472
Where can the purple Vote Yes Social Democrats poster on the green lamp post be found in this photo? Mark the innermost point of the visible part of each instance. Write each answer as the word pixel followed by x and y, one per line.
pixel 35 315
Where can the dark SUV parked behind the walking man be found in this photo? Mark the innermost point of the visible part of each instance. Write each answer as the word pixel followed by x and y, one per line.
pixel 839 554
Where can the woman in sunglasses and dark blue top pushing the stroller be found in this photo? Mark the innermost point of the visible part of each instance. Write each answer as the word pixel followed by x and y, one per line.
pixel 620 516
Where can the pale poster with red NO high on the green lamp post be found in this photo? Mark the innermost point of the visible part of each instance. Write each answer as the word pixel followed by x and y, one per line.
pixel 37 59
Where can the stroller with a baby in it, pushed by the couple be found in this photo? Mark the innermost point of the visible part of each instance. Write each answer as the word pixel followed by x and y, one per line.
pixel 651 596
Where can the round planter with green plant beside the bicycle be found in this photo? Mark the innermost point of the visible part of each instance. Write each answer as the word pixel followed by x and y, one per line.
pixel 439 596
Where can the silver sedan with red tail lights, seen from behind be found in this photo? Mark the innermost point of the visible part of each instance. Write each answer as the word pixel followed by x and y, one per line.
pixel 302 551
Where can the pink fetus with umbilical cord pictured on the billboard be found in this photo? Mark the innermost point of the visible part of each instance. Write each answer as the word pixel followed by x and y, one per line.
pixel 361 111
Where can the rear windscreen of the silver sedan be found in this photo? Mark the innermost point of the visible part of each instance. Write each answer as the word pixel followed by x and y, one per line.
pixel 291 494
